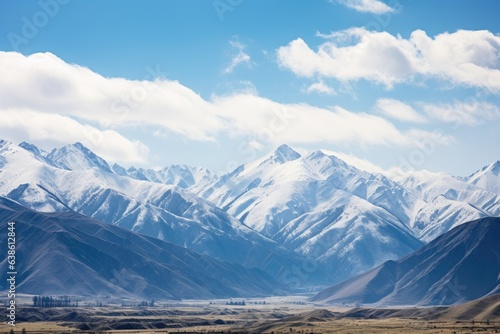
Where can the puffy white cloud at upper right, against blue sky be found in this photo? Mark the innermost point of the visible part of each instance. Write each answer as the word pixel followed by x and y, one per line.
pixel 465 58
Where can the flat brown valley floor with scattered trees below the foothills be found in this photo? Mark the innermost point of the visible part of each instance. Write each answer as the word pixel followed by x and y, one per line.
pixel 202 317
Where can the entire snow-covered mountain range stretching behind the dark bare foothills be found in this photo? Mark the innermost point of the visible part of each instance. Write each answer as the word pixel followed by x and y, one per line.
pixel 304 220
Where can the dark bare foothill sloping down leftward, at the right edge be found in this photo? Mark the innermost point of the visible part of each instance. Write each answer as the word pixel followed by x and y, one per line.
pixel 458 266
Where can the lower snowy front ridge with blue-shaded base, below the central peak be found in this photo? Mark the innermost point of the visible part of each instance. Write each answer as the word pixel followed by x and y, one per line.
pixel 348 234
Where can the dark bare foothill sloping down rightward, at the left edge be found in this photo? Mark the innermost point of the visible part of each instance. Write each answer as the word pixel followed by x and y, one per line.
pixel 67 253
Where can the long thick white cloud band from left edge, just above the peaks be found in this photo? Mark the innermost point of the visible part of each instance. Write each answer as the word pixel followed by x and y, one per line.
pixel 48 100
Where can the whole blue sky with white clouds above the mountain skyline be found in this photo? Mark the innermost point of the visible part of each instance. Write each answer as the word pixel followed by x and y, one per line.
pixel 409 84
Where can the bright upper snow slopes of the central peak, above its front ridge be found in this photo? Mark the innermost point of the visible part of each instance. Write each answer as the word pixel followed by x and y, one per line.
pixel 271 191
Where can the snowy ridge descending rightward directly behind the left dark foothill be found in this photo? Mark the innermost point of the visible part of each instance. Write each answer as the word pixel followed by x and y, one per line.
pixel 164 211
